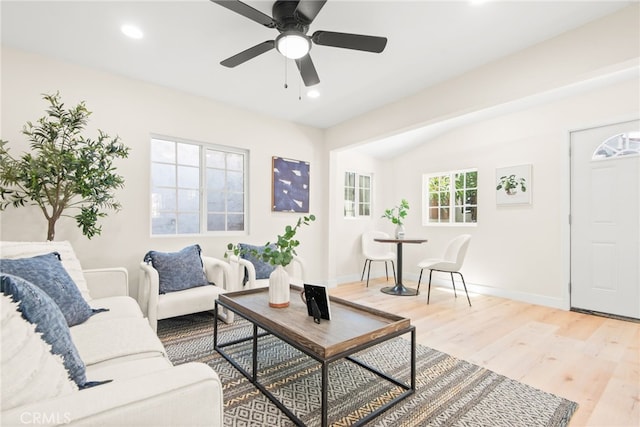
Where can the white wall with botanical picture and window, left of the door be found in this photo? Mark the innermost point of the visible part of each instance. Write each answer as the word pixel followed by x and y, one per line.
pixel 517 251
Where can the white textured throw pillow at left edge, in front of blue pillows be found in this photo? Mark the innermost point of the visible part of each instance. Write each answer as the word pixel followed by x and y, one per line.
pixel 30 372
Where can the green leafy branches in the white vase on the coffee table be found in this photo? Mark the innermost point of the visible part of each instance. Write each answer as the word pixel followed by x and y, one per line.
pixel 280 252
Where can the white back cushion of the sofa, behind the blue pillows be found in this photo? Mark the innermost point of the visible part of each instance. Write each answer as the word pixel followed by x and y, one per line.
pixel 13 250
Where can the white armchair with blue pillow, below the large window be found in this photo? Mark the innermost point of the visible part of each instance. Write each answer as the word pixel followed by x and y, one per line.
pixel 156 306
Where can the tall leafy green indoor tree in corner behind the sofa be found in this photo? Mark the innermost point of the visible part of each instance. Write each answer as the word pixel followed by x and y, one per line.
pixel 64 169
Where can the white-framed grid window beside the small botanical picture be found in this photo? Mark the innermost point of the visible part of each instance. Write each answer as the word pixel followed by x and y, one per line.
pixel 450 197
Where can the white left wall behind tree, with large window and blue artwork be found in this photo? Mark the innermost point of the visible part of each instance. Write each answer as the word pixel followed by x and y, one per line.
pixel 133 110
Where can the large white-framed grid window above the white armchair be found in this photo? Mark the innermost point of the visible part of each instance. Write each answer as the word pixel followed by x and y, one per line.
pixel 196 188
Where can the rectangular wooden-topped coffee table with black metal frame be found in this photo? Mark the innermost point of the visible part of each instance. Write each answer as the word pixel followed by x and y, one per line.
pixel 352 328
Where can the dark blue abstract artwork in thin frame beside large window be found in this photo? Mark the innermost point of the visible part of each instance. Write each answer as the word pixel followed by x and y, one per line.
pixel 290 189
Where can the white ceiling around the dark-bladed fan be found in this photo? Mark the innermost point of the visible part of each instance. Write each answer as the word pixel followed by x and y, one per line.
pixel 184 41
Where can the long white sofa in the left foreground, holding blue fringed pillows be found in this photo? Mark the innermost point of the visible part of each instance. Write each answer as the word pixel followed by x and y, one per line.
pixel 119 345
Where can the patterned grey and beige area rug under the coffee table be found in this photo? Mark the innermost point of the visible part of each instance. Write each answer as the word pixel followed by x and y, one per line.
pixel 449 391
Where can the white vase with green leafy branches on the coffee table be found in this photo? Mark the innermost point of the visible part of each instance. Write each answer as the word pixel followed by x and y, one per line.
pixel 279 254
